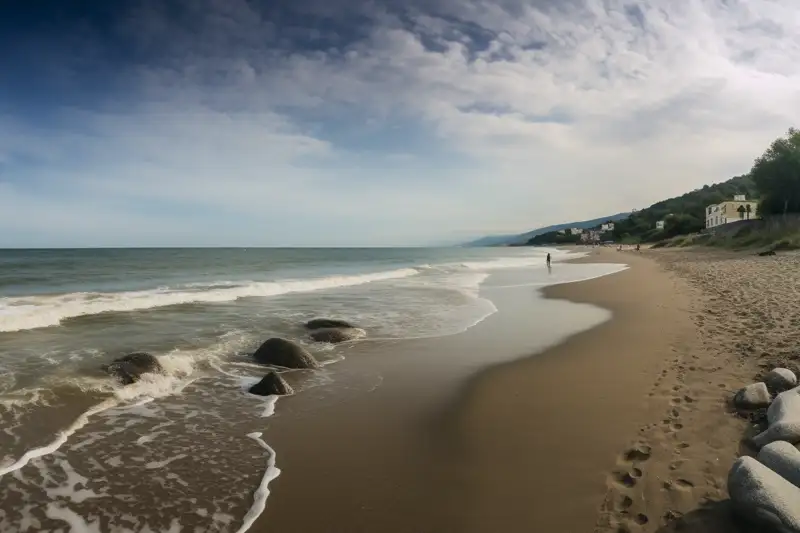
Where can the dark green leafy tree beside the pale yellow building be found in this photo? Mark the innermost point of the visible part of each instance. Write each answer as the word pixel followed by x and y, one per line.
pixel 777 175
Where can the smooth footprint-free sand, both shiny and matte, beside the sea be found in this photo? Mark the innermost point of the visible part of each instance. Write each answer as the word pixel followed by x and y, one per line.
pixel 474 433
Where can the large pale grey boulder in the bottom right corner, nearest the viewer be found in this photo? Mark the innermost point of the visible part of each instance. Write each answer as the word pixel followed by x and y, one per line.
pixel 761 496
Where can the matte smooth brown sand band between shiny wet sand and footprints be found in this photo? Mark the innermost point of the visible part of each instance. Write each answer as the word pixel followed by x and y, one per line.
pixel 578 407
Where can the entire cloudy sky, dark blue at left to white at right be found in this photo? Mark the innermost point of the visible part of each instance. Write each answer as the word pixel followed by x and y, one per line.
pixel 374 122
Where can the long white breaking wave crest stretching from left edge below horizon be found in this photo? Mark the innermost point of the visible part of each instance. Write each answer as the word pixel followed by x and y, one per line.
pixel 30 312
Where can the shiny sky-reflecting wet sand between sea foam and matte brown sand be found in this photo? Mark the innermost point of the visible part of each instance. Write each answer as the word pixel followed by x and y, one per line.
pixel 373 457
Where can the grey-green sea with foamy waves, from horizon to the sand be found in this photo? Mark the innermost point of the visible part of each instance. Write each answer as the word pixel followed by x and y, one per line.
pixel 80 452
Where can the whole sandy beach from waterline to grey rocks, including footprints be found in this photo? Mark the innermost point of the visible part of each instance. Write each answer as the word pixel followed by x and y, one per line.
pixel 624 427
